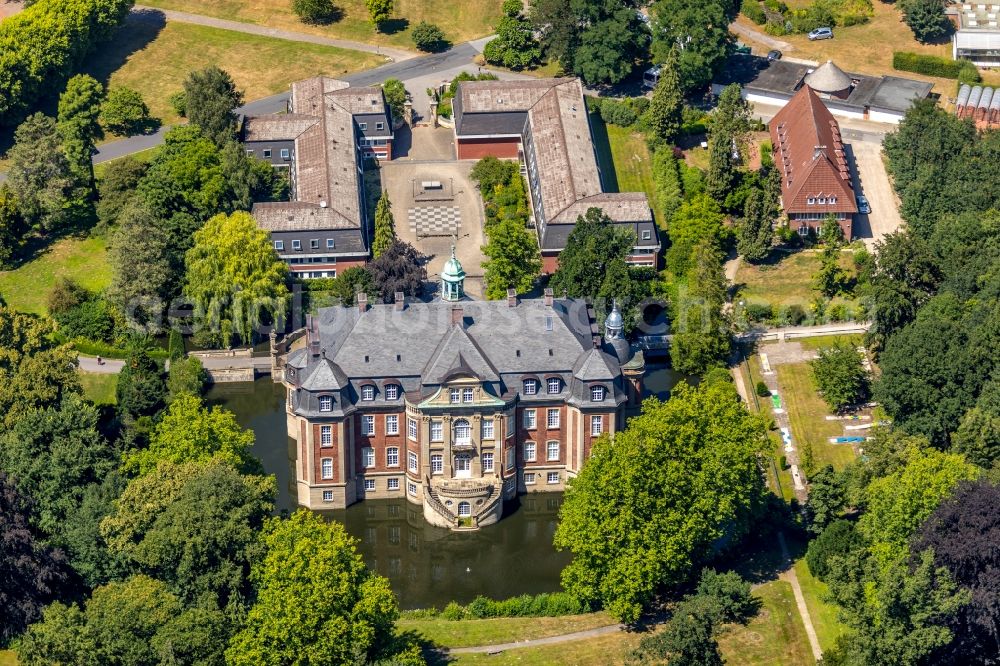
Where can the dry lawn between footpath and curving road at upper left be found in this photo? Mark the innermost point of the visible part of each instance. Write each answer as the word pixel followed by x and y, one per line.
pixel 155 61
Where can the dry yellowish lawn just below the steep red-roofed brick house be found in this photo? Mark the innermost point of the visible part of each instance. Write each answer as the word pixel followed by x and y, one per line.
pixel 786 279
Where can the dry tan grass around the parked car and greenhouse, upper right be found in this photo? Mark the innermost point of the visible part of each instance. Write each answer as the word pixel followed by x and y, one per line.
pixel 868 48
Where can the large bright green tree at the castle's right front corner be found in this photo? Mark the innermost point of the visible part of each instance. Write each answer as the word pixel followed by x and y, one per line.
pixel 646 506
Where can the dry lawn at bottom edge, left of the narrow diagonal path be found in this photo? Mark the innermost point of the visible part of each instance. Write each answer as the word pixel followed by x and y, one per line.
pixel 776 637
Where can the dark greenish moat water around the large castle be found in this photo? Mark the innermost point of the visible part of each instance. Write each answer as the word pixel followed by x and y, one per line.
pixel 426 565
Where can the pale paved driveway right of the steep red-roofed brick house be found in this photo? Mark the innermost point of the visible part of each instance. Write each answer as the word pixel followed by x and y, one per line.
pixel 870 179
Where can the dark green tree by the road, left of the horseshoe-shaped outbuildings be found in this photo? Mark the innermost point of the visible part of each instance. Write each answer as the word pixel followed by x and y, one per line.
pixel 211 98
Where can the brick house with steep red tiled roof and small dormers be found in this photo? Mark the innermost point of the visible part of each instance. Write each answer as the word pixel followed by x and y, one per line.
pixel 815 176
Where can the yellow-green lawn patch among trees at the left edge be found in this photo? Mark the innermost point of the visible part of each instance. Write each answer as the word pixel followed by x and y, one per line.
pixel 83 259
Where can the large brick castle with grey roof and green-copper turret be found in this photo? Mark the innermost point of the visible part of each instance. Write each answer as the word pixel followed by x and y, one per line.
pixel 456 405
